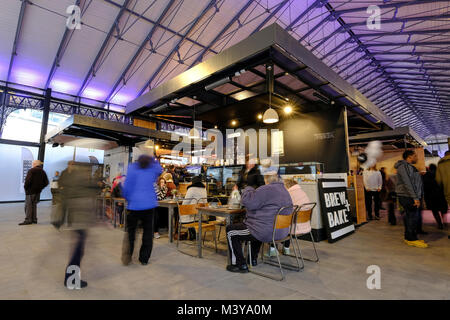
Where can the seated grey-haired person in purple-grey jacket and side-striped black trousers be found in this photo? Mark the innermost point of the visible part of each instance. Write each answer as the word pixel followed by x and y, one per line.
pixel 262 206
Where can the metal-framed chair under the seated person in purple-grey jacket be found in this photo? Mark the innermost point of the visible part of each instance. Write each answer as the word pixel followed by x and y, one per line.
pixel 280 222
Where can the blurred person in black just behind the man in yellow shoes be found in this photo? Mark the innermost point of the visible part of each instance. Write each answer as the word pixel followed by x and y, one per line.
pixel 434 195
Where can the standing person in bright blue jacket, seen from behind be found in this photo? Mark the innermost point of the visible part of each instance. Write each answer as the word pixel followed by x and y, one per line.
pixel 140 193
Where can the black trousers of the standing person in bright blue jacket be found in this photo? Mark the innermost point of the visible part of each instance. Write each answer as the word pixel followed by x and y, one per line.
pixel 146 217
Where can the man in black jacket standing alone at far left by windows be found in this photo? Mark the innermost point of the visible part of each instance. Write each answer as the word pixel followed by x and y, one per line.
pixel 35 181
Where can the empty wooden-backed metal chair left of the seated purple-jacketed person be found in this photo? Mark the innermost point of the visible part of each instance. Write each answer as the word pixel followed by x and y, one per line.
pixel 189 210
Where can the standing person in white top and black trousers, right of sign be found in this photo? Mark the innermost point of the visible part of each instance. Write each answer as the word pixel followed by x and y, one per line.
pixel 373 182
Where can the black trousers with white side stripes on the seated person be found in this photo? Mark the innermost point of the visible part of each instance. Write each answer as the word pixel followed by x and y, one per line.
pixel 236 234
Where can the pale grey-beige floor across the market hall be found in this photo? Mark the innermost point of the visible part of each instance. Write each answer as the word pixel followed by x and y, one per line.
pixel 33 258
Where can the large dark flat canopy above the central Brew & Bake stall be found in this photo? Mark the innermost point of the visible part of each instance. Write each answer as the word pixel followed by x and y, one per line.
pixel 238 75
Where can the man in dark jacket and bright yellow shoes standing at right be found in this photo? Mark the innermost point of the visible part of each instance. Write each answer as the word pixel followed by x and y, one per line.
pixel 409 191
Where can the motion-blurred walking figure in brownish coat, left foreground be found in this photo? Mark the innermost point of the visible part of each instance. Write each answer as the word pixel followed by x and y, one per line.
pixel 78 190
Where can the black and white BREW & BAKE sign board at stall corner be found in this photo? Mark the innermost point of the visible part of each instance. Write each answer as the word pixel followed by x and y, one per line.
pixel 336 213
